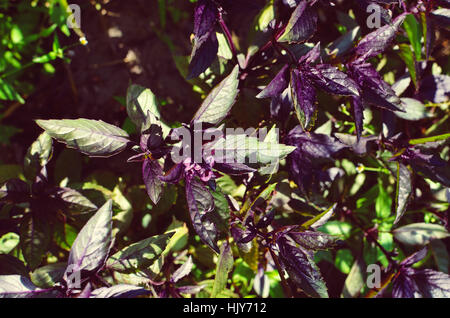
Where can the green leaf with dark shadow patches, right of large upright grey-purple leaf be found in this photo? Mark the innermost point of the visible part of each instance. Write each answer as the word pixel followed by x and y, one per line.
pixel 139 255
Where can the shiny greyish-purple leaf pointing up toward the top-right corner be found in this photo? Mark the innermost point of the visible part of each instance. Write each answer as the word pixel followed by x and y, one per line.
pixel 379 40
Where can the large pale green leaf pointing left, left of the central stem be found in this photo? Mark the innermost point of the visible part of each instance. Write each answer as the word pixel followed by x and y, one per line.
pixel 92 137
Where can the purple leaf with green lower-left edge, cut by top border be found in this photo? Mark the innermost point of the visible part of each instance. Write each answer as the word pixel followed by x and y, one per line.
pixel 302 24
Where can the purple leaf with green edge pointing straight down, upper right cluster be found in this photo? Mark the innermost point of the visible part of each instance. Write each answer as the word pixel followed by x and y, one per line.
pixel 304 97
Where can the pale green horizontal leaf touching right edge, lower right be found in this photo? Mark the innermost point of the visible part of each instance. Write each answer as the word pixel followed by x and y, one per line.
pixel 420 233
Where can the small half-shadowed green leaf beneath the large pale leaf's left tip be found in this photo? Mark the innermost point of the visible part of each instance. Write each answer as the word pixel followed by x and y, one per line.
pixel 38 155
